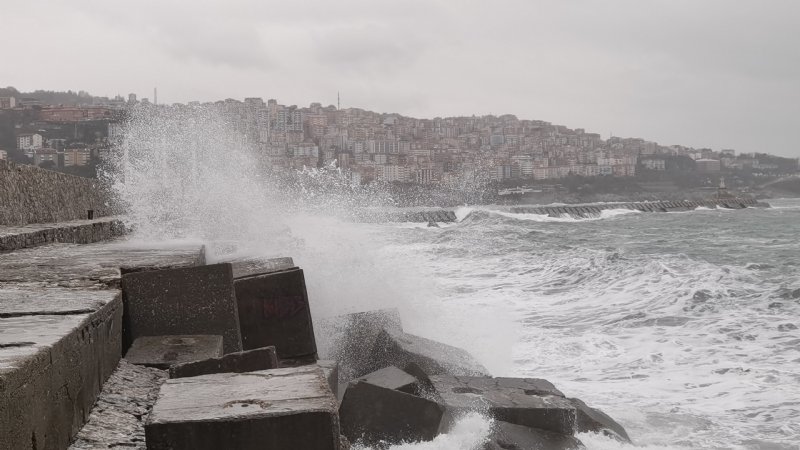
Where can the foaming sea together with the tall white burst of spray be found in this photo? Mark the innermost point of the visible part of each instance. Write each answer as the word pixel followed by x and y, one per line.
pixel 682 326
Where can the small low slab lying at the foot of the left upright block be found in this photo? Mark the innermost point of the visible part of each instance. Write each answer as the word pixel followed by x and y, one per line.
pixel 162 352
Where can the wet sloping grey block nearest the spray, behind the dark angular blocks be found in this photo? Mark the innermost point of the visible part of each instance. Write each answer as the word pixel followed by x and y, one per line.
pixel 397 348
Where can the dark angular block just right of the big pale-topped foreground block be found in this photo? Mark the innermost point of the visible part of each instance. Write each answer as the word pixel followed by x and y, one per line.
pixel 373 414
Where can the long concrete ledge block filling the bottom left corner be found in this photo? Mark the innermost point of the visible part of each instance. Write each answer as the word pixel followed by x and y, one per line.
pixel 51 370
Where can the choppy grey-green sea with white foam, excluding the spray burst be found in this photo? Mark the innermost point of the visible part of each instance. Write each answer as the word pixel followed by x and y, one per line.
pixel 683 326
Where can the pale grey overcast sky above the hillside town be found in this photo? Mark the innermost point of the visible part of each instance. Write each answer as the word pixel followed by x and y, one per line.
pixel 702 73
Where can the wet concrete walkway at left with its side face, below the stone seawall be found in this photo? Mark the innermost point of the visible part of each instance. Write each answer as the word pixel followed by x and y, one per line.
pixel 60 322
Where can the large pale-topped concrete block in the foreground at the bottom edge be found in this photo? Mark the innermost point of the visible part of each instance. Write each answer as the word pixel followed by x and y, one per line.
pixel 279 408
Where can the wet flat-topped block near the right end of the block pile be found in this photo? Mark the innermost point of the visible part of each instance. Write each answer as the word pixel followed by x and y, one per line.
pixel 529 402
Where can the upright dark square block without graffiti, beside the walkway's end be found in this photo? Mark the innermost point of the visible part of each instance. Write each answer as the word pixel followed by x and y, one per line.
pixel 193 300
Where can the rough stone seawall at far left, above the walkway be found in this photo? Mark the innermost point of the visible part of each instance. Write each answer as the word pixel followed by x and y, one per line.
pixel 29 194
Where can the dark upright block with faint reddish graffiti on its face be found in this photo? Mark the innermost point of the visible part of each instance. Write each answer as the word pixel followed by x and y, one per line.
pixel 274 310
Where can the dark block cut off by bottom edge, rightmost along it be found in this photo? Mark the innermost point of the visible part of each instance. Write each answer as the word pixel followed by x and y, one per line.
pixel 508 436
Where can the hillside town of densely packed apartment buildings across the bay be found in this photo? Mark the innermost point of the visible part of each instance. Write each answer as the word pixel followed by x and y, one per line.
pixel 371 146
